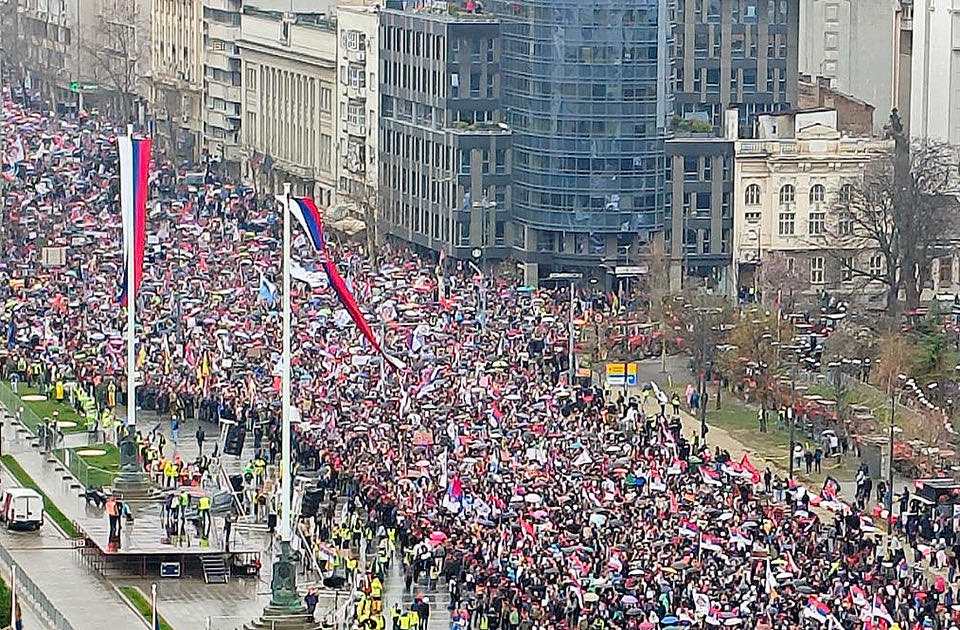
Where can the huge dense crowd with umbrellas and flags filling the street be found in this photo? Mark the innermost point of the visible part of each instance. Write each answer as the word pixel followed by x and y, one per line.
pixel 531 499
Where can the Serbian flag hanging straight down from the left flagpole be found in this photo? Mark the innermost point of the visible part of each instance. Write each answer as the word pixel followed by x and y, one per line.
pixel 134 190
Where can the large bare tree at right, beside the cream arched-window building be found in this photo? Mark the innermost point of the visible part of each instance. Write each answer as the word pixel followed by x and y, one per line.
pixel 902 209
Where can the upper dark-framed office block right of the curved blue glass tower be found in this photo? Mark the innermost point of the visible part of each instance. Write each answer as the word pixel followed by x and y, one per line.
pixel 738 54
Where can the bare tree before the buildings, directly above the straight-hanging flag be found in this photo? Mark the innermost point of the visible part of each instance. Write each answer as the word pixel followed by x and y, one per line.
pixel 116 54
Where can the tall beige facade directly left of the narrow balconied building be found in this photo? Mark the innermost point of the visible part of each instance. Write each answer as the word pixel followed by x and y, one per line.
pixel 176 99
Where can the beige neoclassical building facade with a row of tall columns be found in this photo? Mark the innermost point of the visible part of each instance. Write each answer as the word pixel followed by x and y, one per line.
pixel 289 83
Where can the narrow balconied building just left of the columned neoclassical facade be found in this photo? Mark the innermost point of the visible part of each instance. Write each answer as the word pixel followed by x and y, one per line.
pixel 221 78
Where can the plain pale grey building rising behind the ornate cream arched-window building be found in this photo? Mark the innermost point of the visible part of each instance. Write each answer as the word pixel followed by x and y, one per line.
pixel 851 43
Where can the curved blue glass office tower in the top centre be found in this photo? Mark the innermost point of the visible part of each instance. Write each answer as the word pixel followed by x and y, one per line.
pixel 585 93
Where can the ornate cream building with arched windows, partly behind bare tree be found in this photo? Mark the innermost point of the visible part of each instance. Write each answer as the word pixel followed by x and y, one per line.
pixel 790 184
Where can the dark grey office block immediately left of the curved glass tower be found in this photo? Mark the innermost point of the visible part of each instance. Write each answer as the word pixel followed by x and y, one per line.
pixel 444 149
